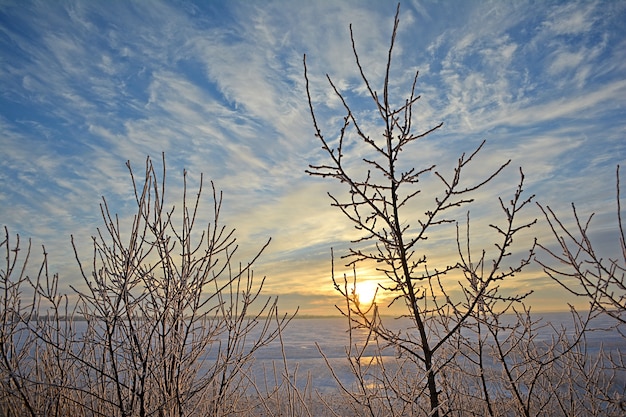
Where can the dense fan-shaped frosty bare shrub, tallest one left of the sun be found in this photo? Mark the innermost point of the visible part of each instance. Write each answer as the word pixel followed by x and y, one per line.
pixel 178 320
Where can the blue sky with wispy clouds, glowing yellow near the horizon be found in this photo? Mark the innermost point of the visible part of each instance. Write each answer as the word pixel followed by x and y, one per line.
pixel 218 87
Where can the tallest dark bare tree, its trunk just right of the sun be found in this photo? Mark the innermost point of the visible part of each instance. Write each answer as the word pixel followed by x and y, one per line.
pixel 383 204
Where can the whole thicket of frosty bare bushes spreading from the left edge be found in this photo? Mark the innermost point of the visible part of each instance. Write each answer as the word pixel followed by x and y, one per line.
pixel 168 325
